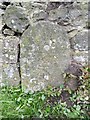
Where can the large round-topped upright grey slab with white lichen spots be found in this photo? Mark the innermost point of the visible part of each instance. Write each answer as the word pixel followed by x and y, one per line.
pixel 45 54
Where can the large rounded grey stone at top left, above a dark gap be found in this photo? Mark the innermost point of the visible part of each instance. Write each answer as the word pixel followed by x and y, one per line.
pixel 15 18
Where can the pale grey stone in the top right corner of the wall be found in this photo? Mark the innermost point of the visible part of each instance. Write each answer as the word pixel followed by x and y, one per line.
pixel 79 15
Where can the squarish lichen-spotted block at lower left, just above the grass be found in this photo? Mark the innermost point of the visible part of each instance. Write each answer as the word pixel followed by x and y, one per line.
pixel 10 75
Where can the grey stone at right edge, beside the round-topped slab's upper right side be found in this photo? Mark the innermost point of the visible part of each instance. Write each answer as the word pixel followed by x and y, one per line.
pixel 80 41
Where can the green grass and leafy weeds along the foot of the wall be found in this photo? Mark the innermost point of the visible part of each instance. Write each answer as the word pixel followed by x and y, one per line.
pixel 47 103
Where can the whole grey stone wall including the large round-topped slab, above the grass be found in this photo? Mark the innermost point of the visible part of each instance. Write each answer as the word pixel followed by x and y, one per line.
pixel 40 40
